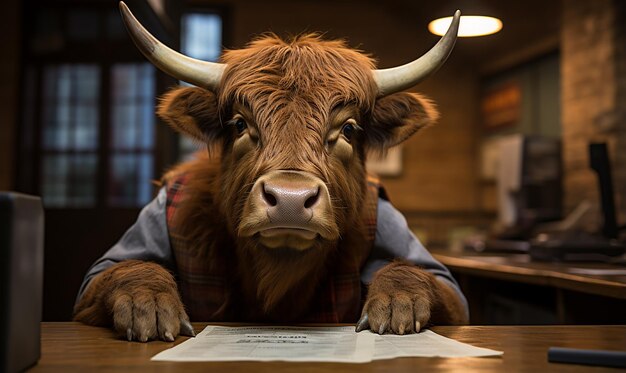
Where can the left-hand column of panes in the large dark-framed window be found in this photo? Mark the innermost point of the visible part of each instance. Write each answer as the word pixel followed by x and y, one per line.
pixel 70 135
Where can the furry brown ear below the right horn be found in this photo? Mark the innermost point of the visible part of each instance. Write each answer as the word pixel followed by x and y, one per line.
pixel 396 117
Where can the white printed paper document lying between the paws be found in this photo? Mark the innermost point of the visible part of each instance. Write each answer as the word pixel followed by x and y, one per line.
pixel 321 344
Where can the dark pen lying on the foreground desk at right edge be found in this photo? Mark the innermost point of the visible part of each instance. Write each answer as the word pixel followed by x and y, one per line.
pixel 587 357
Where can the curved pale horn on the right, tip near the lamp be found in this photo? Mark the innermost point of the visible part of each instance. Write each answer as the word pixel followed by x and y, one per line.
pixel 398 78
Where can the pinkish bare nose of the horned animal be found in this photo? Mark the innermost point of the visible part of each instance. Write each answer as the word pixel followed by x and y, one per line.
pixel 291 201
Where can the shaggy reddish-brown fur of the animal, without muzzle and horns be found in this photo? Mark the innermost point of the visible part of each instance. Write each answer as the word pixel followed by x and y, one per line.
pixel 295 97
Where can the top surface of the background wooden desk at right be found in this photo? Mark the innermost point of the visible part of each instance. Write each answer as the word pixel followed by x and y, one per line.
pixel 520 268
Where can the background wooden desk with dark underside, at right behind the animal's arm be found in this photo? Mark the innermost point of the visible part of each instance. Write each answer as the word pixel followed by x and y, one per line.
pixel 578 298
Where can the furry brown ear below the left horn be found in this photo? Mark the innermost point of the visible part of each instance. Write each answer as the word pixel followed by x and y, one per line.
pixel 192 111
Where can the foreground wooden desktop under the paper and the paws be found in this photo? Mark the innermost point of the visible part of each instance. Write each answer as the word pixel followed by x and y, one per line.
pixel 73 347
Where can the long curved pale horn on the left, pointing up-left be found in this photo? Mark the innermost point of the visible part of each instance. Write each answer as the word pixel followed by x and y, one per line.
pixel 201 73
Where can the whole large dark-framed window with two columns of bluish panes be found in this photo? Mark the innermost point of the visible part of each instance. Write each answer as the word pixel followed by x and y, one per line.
pixel 89 115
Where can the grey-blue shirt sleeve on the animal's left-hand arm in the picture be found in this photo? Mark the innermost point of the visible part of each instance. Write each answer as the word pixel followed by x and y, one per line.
pixel 146 240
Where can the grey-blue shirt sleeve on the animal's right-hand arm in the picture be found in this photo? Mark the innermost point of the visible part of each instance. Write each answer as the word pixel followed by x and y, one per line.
pixel 394 240
